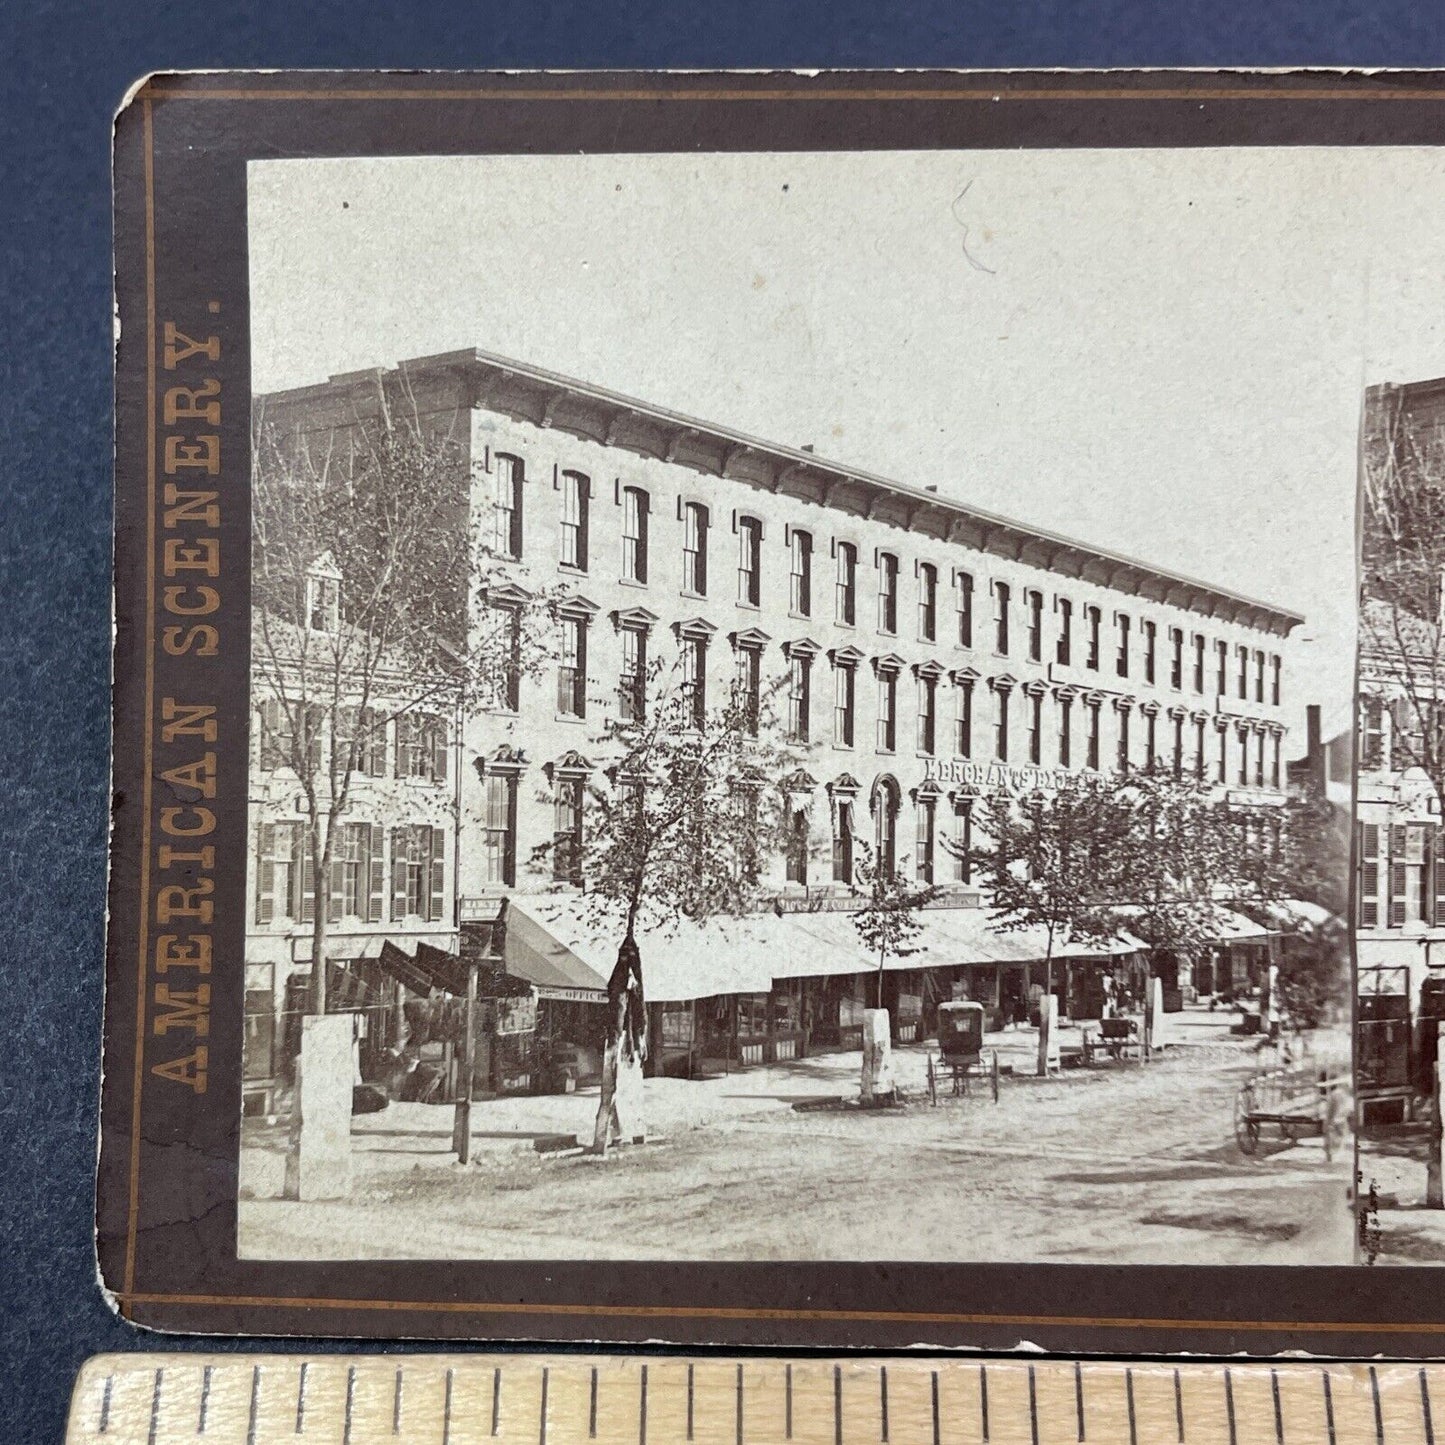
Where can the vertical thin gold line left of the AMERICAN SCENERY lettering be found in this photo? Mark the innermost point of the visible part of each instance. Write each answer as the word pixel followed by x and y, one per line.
pixel 139 1076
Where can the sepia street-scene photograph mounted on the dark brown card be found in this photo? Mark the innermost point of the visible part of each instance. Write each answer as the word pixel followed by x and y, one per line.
pixel 803 707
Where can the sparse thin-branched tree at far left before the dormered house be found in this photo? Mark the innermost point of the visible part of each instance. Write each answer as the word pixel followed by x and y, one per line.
pixel 366 560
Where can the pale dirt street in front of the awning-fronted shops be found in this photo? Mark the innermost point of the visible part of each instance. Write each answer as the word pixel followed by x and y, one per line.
pixel 1128 1164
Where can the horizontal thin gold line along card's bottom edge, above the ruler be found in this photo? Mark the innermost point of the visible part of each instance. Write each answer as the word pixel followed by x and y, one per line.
pixel 913 1317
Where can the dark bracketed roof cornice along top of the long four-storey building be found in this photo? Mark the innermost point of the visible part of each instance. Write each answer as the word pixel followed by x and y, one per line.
pixel 558 402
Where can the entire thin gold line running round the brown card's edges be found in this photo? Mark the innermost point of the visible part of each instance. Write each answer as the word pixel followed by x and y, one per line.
pixel 151 93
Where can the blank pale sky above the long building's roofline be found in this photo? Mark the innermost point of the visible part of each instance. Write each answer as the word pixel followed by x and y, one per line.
pixel 1158 352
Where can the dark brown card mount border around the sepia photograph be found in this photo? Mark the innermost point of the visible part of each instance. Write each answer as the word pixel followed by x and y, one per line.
pixel 167 1206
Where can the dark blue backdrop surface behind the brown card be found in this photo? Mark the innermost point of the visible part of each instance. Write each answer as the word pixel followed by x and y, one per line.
pixel 66 70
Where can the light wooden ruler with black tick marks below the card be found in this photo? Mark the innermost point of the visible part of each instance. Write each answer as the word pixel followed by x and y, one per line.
pixel 525 1399
